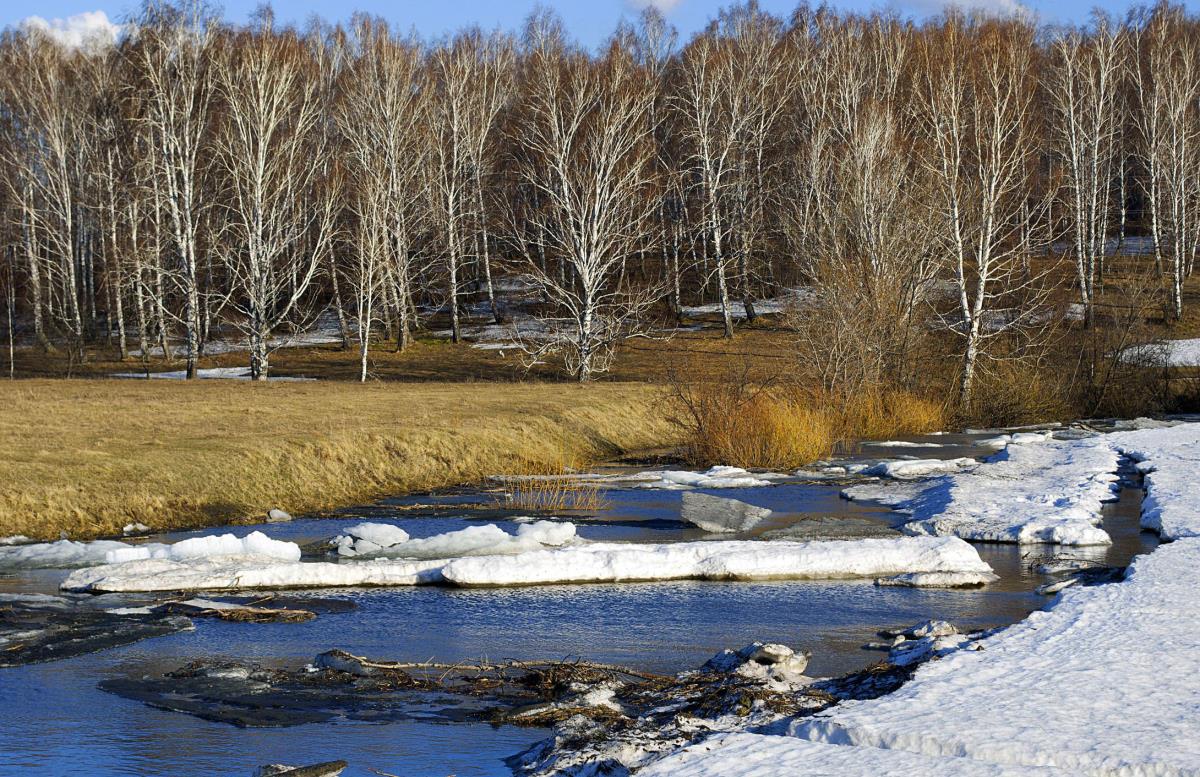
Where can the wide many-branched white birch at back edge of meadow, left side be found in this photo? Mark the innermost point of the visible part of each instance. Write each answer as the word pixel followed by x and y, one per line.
pixel 272 153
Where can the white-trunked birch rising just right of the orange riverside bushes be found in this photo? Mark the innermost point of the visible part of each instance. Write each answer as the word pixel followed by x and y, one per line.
pixel 975 103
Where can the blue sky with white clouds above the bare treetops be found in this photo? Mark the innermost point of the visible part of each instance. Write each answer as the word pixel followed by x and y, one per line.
pixel 590 21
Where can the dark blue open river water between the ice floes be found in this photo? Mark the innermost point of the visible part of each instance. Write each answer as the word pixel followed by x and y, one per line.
pixel 57 722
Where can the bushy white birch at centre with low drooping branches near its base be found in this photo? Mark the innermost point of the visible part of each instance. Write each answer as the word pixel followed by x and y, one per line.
pixel 587 150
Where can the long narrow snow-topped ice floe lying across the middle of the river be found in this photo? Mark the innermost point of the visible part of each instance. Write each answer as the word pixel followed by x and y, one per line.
pixel 589 563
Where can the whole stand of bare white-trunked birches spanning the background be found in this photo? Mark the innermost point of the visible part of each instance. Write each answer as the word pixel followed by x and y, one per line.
pixel 985 194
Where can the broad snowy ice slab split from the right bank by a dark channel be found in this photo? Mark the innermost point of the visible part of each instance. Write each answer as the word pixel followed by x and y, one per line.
pixel 1049 491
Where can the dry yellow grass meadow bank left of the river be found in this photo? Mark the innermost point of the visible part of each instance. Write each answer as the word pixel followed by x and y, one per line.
pixel 91 456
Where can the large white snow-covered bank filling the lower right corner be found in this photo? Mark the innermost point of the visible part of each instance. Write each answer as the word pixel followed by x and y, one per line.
pixel 1105 683
